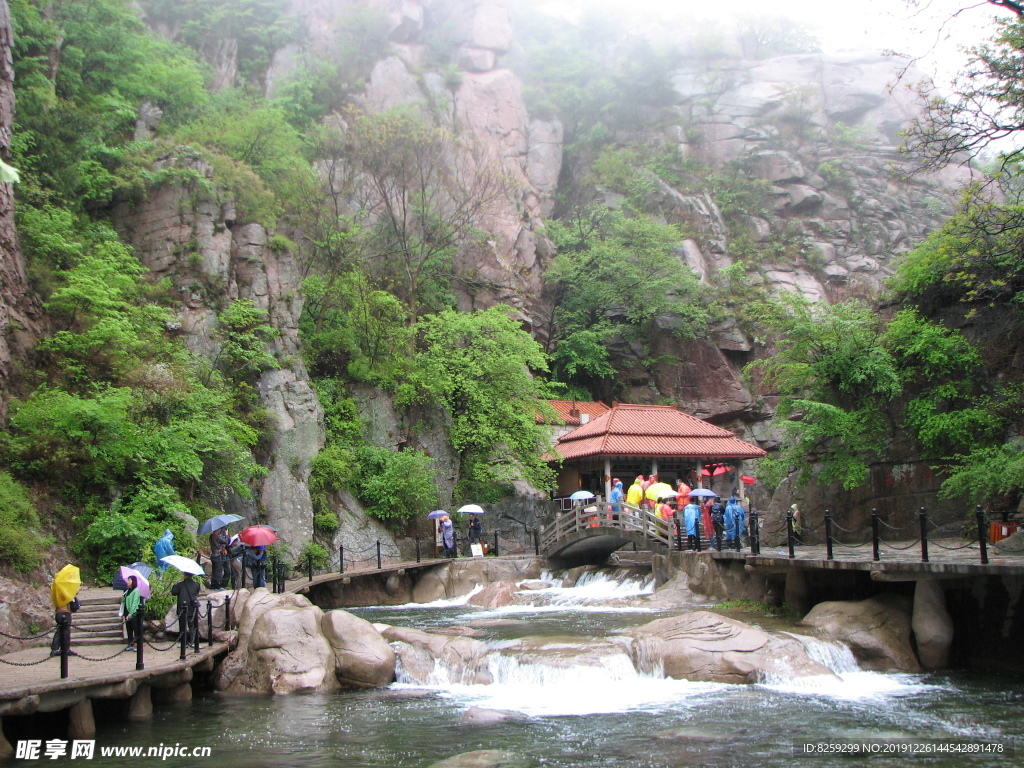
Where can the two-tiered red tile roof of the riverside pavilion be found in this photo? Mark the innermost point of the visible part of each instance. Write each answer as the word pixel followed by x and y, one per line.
pixel 654 432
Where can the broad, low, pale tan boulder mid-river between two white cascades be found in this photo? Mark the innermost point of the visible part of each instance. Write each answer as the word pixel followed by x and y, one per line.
pixel 705 647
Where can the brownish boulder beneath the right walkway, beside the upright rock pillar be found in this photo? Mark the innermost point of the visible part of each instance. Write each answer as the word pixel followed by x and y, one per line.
pixel 878 631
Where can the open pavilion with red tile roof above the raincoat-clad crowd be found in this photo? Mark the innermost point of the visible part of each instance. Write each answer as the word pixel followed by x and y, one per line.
pixel 626 441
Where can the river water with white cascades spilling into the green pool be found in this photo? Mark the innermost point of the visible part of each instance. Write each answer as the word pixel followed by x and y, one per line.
pixel 598 715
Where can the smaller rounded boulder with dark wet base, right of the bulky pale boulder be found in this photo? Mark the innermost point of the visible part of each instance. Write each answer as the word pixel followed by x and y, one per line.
pixel 363 658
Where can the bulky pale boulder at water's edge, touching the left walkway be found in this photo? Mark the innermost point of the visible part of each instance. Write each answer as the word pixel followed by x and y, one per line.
pixel 281 649
